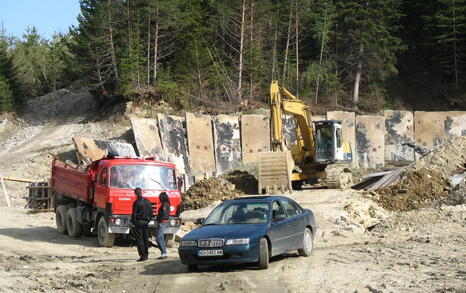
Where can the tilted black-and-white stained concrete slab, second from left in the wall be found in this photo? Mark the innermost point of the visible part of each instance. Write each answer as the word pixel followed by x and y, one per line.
pixel 174 142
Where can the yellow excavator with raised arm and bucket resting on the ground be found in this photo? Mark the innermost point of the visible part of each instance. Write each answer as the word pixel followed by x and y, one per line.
pixel 319 152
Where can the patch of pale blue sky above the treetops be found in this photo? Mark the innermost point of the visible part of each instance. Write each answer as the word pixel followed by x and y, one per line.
pixel 48 16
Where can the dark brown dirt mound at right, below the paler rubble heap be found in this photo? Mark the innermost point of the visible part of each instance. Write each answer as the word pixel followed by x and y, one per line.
pixel 417 189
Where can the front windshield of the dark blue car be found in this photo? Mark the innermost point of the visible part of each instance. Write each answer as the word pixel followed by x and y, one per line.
pixel 239 213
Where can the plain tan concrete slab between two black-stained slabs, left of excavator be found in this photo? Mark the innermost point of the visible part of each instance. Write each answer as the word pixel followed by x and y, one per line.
pixel 200 143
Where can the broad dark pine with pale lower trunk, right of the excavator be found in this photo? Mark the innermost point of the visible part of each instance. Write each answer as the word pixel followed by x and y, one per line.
pixel 368 33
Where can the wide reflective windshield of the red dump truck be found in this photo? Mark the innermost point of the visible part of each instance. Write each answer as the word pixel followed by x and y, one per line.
pixel 143 176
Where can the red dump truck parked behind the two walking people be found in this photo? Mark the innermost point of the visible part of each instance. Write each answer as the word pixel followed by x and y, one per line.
pixel 100 198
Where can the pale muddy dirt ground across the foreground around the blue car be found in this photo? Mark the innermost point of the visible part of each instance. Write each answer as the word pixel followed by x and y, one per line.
pixel 418 251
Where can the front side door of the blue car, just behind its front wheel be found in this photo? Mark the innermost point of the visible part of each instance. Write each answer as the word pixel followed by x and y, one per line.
pixel 280 232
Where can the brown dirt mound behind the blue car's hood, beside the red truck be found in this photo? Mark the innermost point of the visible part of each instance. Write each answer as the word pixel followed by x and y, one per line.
pixel 206 191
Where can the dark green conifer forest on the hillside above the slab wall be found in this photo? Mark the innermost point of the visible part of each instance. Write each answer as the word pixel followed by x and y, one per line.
pixel 367 55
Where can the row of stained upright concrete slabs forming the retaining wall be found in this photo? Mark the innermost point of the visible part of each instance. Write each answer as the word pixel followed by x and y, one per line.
pixel 220 143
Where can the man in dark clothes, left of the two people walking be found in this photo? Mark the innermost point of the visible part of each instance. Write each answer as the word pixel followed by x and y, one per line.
pixel 142 213
